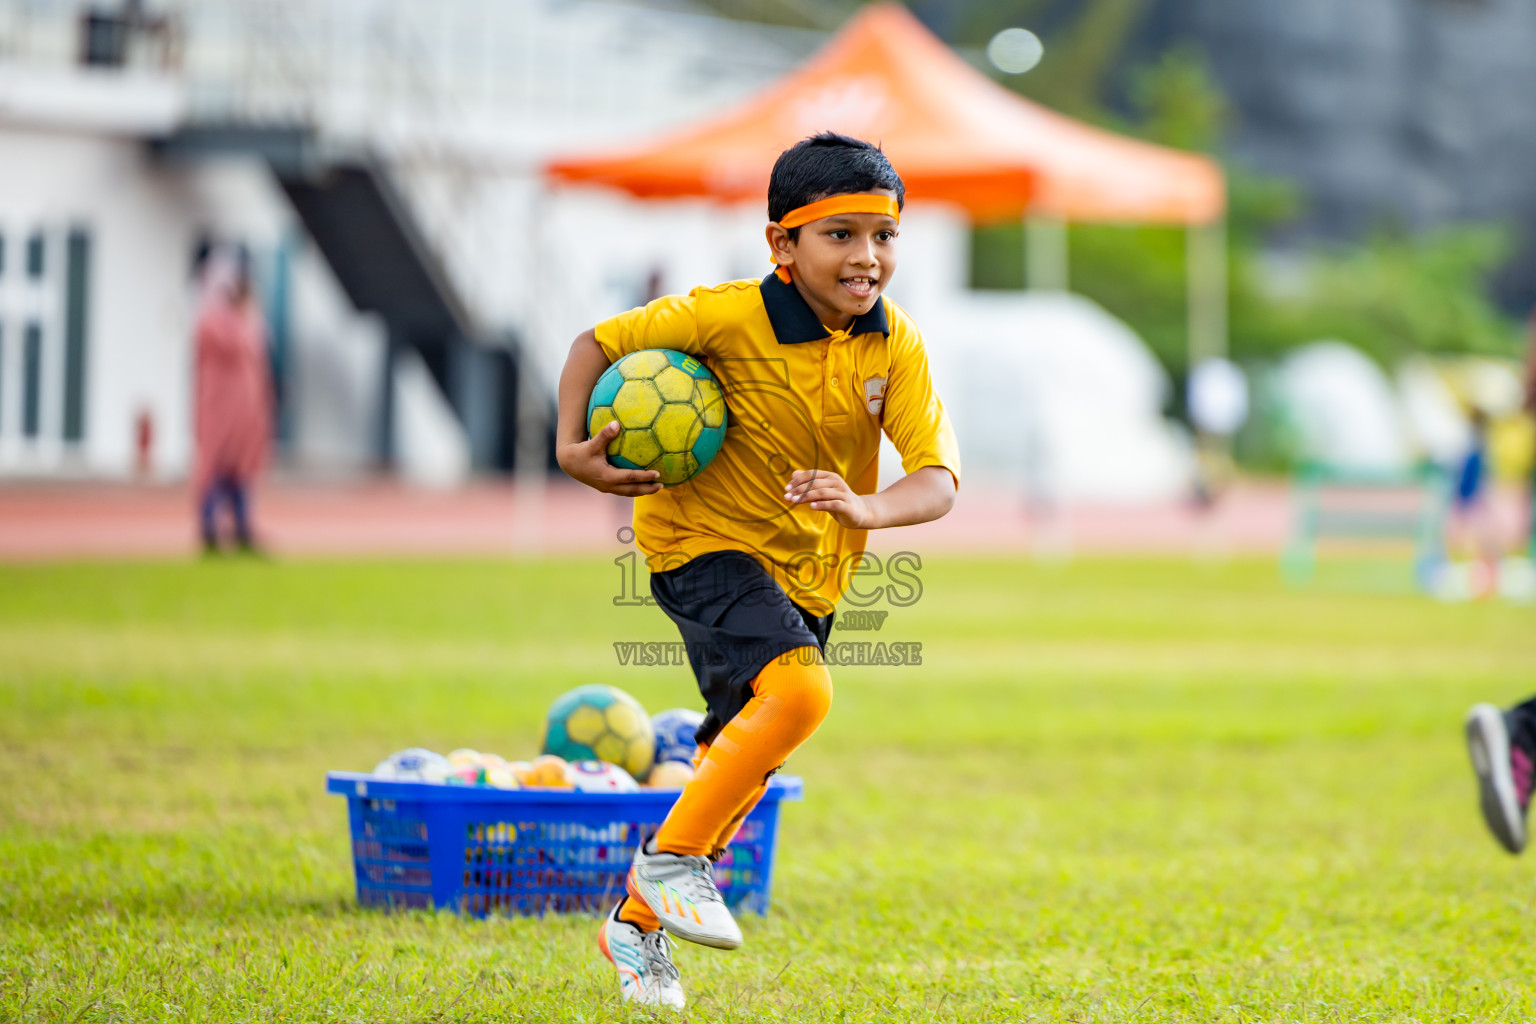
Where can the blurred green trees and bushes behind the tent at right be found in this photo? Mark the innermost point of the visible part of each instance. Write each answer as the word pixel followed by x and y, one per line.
pixel 1392 294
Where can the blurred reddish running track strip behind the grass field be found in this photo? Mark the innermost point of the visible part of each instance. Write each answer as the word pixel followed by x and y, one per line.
pixel 383 518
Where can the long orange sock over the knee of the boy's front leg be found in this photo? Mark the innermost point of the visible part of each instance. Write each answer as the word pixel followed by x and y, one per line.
pixel 790 701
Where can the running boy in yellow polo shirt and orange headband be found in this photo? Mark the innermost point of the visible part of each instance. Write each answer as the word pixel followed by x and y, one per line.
pixel 752 557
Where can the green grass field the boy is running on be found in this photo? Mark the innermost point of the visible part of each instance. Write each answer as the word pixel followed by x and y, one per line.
pixel 1116 791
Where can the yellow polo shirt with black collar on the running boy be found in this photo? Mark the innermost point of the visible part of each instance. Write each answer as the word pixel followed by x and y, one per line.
pixel 798 398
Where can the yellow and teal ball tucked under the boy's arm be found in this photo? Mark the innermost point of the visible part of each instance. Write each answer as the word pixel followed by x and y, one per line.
pixel 670 412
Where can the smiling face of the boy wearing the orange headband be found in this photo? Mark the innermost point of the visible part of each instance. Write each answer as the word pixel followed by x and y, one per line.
pixel 841 265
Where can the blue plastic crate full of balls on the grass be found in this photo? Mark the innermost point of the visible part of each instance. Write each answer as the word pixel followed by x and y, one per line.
pixel 528 851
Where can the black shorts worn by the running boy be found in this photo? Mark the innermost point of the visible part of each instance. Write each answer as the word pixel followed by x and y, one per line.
pixel 733 619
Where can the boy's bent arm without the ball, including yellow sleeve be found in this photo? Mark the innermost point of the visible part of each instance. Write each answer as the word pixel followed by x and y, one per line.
pixel 916 423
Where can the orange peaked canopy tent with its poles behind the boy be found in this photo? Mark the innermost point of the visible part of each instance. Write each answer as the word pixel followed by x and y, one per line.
pixel 955 136
